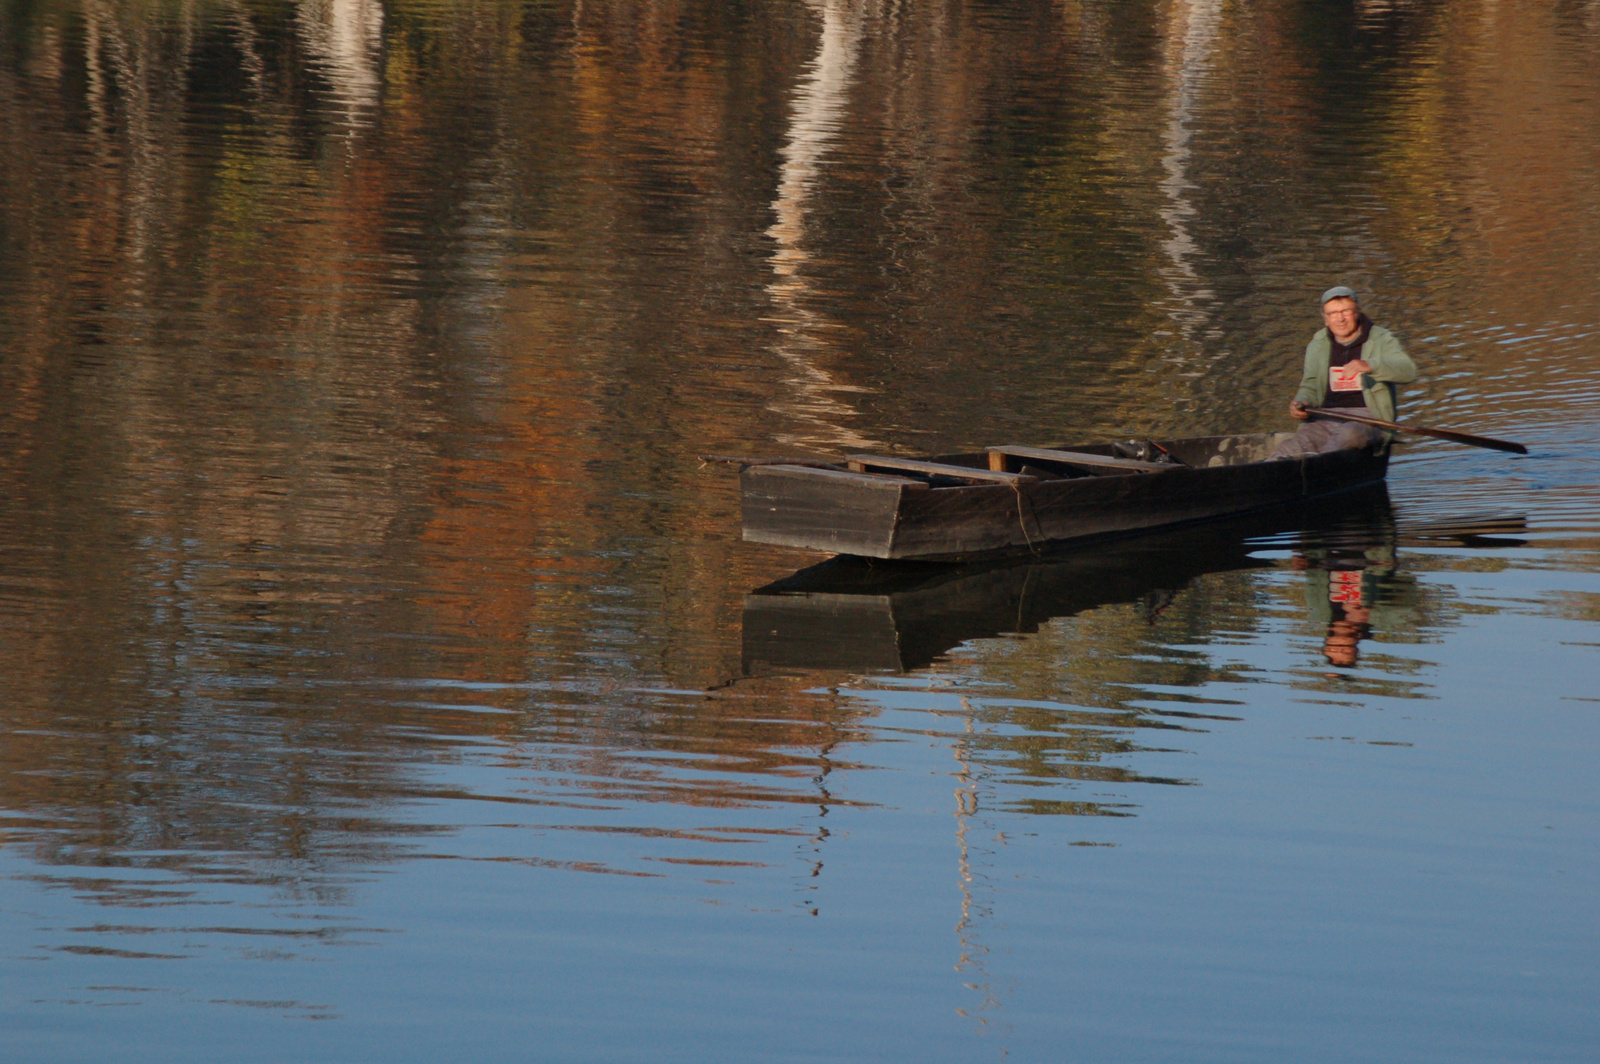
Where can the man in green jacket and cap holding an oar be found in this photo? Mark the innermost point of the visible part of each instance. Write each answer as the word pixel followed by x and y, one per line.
pixel 1350 366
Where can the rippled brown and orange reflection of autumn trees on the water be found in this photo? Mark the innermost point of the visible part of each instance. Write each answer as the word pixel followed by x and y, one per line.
pixel 358 354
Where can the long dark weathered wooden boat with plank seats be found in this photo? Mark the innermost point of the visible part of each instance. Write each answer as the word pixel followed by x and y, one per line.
pixel 1025 498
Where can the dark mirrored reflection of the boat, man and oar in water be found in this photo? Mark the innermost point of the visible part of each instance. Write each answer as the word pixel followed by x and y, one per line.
pixel 881 617
